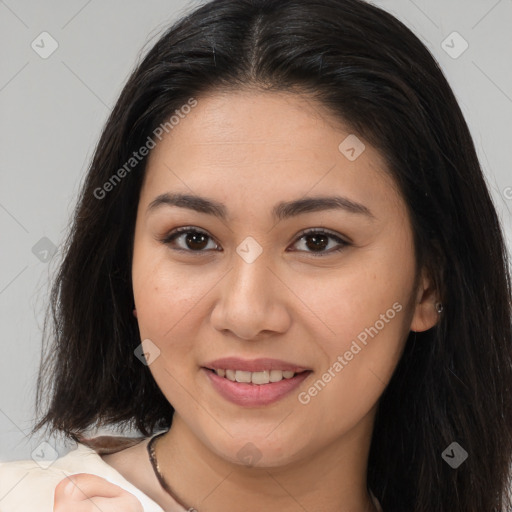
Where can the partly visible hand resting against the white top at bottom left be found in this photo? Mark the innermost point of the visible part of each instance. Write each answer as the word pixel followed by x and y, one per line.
pixel 90 493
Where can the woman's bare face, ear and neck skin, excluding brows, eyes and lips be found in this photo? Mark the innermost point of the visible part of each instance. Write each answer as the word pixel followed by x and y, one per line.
pixel 250 150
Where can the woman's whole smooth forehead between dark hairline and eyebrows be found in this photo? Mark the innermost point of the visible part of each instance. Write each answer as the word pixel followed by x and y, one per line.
pixel 263 145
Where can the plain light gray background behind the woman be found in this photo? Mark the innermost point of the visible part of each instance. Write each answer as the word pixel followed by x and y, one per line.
pixel 52 111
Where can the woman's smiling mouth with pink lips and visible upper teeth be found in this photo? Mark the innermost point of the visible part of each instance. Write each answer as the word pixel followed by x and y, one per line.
pixel 254 383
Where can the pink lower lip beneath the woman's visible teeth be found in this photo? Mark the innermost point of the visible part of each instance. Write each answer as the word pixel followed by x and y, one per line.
pixel 254 395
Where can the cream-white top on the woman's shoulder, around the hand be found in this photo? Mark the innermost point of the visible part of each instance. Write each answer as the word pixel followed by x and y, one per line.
pixel 29 485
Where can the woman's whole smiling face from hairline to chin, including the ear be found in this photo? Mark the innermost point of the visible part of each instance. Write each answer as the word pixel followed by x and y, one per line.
pixel 267 277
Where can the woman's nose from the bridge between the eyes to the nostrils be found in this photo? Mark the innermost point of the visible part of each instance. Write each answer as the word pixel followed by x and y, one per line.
pixel 252 301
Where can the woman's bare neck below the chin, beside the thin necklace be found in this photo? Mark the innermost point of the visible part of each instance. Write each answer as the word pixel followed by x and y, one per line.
pixel 331 480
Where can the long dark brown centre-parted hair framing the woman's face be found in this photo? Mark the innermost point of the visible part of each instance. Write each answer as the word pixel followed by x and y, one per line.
pixel 453 382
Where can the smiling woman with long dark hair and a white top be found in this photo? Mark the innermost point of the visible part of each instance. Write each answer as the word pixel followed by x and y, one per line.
pixel 286 272
